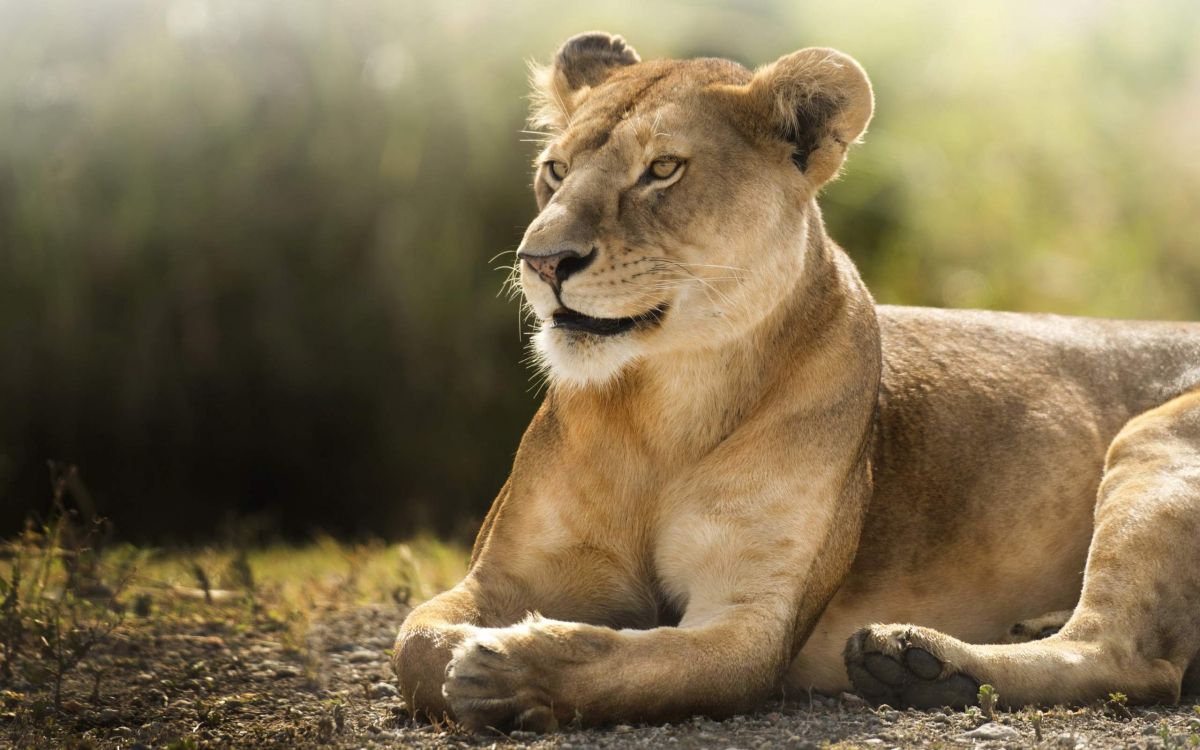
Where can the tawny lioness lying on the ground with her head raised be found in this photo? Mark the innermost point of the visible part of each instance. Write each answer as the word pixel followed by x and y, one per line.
pixel 743 465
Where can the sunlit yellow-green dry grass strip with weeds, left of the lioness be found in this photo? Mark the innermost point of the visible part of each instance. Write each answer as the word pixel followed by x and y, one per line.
pixel 63 593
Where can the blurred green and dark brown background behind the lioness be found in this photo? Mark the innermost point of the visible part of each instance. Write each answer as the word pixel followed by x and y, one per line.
pixel 248 248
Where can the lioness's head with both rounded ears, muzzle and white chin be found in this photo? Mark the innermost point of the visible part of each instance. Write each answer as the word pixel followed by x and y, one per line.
pixel 675 196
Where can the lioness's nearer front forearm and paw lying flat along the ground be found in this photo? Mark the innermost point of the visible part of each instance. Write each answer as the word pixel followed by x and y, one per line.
pixel 542 674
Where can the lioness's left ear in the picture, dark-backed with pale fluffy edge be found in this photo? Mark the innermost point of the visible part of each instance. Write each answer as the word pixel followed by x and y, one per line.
pixel 583 63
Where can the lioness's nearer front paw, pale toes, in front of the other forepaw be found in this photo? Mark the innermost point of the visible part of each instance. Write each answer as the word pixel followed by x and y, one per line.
pixel 489 687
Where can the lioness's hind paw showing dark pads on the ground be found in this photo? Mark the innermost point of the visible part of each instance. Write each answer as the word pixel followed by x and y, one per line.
pixel 907 668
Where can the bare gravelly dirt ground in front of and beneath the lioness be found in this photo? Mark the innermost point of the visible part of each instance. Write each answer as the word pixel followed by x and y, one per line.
pixel 212 681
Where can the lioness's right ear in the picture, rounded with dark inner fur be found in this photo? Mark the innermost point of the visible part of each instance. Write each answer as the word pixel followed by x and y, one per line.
pixel 820 101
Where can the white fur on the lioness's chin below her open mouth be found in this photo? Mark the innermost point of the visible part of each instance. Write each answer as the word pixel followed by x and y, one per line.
pixel 584 361
